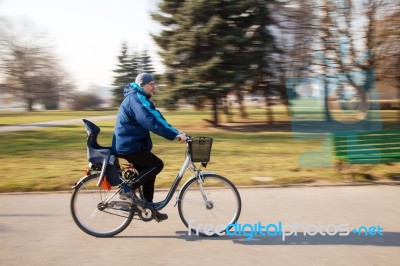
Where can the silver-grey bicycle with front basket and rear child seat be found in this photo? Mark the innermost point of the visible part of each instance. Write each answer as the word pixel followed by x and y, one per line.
pixel 208 204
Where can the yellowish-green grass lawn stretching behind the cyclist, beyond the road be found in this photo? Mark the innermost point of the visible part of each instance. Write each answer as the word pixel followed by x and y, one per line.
pixel 246 152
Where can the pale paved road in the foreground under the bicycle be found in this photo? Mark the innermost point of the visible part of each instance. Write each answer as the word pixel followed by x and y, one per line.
pixel 37 229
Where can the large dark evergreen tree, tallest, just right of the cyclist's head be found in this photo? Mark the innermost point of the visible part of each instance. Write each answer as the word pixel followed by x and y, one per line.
pixel 211 48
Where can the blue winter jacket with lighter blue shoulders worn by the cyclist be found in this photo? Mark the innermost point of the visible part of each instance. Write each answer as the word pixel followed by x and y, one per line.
pixel 138 116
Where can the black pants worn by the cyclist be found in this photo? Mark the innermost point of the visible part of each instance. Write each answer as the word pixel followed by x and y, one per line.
pixel 148 166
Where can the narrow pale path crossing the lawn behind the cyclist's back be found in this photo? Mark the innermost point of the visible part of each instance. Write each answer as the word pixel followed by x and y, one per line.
pixel 33 126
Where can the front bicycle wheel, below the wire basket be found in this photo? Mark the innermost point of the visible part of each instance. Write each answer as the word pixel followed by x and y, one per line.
pixel 207 207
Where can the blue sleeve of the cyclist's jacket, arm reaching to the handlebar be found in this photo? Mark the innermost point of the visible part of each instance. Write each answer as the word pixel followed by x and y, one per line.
pixel 150 118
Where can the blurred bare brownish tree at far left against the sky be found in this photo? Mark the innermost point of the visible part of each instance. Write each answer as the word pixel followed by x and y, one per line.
pixel 31 71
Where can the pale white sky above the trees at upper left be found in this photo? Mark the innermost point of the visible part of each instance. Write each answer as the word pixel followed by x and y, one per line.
pixel 86 35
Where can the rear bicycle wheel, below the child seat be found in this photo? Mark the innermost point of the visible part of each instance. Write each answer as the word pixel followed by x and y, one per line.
pixel 97 211
